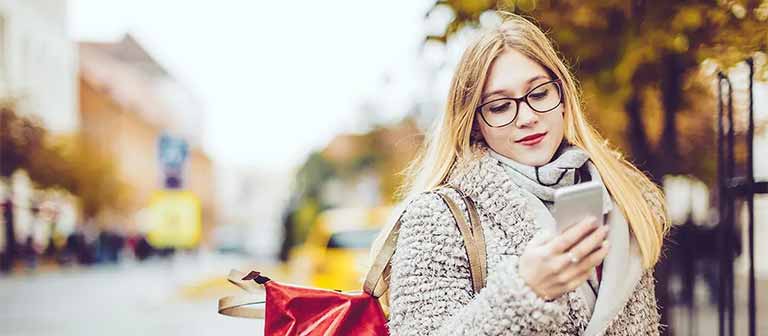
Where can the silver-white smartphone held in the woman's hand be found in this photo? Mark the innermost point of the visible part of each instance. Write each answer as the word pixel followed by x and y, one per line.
pixel 576 202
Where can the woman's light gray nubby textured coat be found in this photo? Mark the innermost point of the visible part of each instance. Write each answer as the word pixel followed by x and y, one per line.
pixel 430 287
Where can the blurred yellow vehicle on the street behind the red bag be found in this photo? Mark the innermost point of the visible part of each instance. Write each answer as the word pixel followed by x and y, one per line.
pixel 336 250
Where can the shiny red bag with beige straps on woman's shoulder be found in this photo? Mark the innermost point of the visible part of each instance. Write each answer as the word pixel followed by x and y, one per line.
pixel 290 310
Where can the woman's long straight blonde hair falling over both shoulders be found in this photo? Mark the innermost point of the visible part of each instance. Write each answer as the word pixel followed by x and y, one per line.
pixel 452 138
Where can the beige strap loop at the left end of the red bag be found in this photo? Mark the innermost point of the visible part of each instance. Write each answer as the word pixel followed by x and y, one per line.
pixel 239 305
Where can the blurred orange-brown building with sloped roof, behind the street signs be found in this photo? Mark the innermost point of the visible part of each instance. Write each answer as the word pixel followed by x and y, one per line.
pixel 125 108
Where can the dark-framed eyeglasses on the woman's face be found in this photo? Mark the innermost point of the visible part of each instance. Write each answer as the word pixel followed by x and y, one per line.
pixel 501 112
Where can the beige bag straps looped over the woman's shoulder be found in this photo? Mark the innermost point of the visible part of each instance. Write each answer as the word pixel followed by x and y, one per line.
pixel 474 244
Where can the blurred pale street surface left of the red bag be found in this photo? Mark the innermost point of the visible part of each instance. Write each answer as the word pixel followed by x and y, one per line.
pixel 157 297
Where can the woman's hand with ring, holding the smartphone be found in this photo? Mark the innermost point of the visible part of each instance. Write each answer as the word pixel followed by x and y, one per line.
pixel 553 265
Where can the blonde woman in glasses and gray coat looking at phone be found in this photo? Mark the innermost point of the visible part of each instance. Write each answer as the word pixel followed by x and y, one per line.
pixel 512 133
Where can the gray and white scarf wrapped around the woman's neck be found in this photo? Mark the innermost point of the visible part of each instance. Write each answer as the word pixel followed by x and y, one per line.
pixel 569 165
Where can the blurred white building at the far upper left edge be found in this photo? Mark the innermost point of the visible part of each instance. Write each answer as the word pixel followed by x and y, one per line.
pixel 38 62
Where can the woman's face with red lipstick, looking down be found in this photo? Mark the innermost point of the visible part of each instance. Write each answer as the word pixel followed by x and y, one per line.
pixel 513 74
